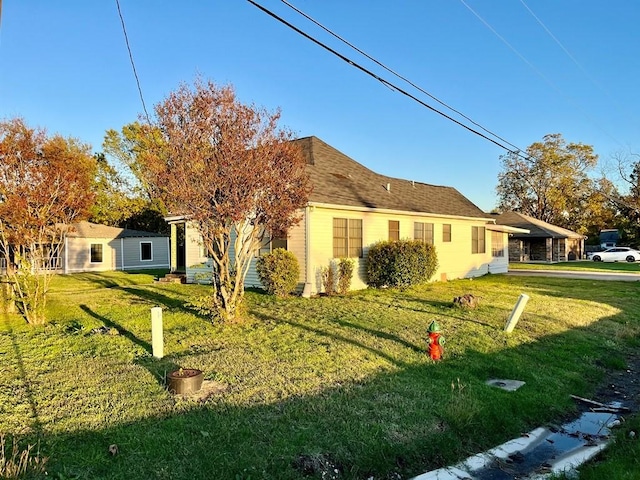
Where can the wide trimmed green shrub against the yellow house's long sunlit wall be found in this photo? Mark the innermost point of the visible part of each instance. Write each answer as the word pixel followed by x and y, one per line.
pixel 400 263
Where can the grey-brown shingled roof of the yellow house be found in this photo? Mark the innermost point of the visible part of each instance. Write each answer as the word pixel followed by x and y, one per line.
pixel 340 180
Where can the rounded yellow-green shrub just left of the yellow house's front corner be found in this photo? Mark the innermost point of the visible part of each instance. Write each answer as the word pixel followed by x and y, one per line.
pixel 279 272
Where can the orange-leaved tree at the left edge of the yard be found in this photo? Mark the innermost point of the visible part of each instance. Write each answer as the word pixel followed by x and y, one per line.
pixel 45 185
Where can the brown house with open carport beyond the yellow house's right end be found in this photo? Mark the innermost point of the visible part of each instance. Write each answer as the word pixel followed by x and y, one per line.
pixel 544 242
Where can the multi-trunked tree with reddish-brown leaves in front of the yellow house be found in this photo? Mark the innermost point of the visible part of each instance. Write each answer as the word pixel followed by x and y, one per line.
pixel 230 170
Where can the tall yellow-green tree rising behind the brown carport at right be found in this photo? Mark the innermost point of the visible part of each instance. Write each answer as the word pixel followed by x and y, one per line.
pixel 550 182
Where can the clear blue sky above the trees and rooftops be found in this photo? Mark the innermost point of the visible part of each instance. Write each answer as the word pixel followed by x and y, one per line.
pixel 519 68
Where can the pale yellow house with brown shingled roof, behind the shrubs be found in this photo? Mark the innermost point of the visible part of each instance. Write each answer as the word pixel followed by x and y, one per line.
pixel 352 207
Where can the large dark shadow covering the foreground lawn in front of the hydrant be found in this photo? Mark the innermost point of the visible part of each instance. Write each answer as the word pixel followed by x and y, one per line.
pixel 407 421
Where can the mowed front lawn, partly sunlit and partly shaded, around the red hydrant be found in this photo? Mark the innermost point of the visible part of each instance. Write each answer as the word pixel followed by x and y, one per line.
pixel 329 387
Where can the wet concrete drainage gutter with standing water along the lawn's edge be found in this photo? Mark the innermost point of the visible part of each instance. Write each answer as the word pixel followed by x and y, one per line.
pixel 538 454
